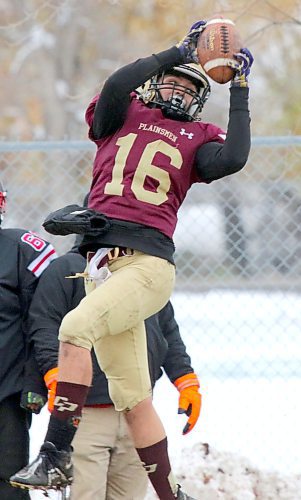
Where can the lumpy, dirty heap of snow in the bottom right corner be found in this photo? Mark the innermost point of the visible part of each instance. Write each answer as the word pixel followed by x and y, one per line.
pixel 213 475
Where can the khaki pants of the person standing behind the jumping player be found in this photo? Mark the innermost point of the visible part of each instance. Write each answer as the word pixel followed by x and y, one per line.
pixel 106 464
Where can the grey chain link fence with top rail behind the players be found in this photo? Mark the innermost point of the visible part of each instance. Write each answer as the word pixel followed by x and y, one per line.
pixel 237 297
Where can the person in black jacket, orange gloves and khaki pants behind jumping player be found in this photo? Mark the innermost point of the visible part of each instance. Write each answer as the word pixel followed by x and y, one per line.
pixel 106 464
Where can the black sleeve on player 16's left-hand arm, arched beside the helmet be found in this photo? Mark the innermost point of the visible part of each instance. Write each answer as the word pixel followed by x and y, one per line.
pixel 111 108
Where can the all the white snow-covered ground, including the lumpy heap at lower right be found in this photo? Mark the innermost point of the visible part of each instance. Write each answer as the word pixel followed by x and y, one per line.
pixel 246 445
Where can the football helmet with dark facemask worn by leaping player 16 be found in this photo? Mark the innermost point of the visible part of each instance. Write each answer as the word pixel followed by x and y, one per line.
pixel 176 107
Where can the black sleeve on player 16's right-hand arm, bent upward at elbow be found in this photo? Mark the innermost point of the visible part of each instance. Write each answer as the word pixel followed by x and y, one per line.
pixel 215 160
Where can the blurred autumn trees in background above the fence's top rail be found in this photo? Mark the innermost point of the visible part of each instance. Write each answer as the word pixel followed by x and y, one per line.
pixel 56 54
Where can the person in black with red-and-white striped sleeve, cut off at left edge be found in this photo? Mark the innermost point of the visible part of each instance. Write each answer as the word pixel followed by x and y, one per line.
pixel 23 258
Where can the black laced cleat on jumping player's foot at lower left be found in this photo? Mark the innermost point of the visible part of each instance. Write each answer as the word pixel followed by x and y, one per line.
pixel 52 469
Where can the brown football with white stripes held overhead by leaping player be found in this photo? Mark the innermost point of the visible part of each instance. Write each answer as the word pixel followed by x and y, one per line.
pixel 216 45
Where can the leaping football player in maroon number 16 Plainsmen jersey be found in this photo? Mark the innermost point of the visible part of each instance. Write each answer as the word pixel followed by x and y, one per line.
pixel 151 147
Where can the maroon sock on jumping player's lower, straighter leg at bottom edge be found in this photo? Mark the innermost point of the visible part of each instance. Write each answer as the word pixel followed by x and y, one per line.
pixel 156 463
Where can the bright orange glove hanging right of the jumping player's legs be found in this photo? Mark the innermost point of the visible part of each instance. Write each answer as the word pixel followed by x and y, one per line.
pixel 190 399
